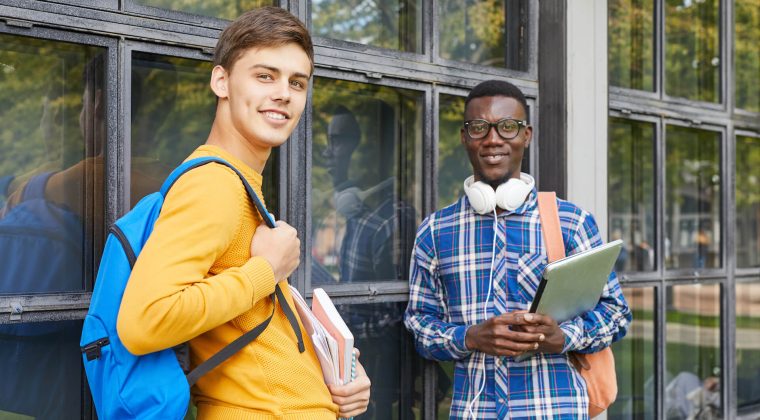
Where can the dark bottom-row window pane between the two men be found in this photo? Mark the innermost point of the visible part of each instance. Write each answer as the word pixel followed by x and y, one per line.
pixel 388 355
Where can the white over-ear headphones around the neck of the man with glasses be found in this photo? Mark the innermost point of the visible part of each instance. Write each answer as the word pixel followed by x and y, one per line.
pixel 509 195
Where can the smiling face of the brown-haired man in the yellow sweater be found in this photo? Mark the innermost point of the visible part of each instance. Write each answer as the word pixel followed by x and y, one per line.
pixel 263 96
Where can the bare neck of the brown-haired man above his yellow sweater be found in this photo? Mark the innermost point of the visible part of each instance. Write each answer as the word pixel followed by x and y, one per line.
pixel 224 135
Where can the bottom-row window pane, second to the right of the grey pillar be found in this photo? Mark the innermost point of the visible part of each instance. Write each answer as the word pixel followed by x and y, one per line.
pixel 692 352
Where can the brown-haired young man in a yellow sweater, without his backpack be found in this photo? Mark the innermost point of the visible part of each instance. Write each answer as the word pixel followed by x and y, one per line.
pixel 206 272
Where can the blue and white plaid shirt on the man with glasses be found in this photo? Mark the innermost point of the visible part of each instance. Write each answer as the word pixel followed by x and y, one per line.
pixel 449 276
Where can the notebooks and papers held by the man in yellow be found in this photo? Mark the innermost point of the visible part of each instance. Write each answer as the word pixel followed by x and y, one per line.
pixel 333 341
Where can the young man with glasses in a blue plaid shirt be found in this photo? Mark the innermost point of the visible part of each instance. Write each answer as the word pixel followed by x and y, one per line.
pixel 475 268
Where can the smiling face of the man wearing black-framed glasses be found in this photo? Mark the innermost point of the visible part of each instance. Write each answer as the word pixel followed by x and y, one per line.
pixel 493 159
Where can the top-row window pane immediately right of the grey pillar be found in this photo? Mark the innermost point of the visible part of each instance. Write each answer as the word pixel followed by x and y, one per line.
pixel 631 43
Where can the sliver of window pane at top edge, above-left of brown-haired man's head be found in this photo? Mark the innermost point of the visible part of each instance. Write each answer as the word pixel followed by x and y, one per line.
pixel 223 9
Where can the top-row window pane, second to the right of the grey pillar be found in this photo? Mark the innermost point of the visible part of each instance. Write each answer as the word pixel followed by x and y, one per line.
pixel 692 49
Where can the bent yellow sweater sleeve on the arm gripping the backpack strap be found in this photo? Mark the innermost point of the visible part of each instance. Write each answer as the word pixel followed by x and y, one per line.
pixel 171 297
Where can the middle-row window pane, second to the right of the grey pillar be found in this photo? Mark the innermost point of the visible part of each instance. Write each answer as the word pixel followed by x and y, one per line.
pixel 692 198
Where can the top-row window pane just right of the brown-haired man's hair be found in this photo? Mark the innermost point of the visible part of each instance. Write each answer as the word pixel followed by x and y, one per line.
pixel 393 24
